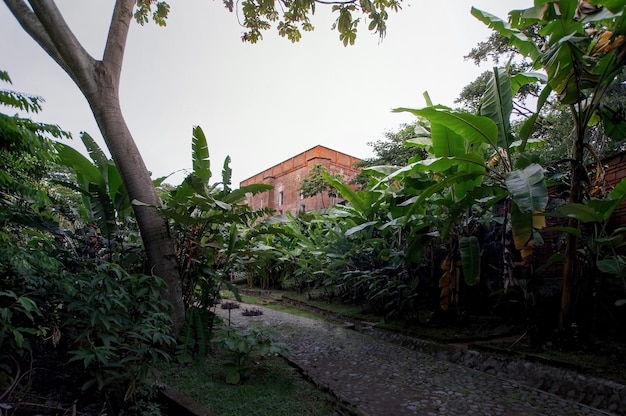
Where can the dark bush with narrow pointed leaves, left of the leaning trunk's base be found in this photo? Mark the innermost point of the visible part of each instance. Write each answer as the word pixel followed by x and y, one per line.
pixel 120 324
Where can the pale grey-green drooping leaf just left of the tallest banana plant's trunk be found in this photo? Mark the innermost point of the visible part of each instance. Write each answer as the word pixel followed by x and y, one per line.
pixel 528 188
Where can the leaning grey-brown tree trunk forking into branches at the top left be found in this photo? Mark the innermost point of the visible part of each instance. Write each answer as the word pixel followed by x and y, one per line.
pixel 99 83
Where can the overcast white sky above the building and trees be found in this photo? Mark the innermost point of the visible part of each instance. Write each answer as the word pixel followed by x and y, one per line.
pixel 263 103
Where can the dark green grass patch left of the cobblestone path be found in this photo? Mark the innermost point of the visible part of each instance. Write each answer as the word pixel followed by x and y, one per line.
pixel 275 388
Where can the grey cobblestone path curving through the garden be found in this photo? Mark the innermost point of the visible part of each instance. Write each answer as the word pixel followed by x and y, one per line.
pixel 379 378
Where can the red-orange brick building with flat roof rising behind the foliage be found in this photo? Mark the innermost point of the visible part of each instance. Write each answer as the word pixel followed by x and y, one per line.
pixel 288 175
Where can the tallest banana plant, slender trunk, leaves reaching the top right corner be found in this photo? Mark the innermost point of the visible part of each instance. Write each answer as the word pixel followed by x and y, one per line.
pixel 584 52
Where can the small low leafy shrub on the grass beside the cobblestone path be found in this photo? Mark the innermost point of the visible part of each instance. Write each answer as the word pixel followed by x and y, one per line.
pixel 244 347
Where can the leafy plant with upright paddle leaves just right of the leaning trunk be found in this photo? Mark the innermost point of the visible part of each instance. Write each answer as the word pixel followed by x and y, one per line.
pixel 207 222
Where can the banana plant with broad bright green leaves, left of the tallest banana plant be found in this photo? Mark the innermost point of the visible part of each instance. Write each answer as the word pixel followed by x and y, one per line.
pixel 473 158
